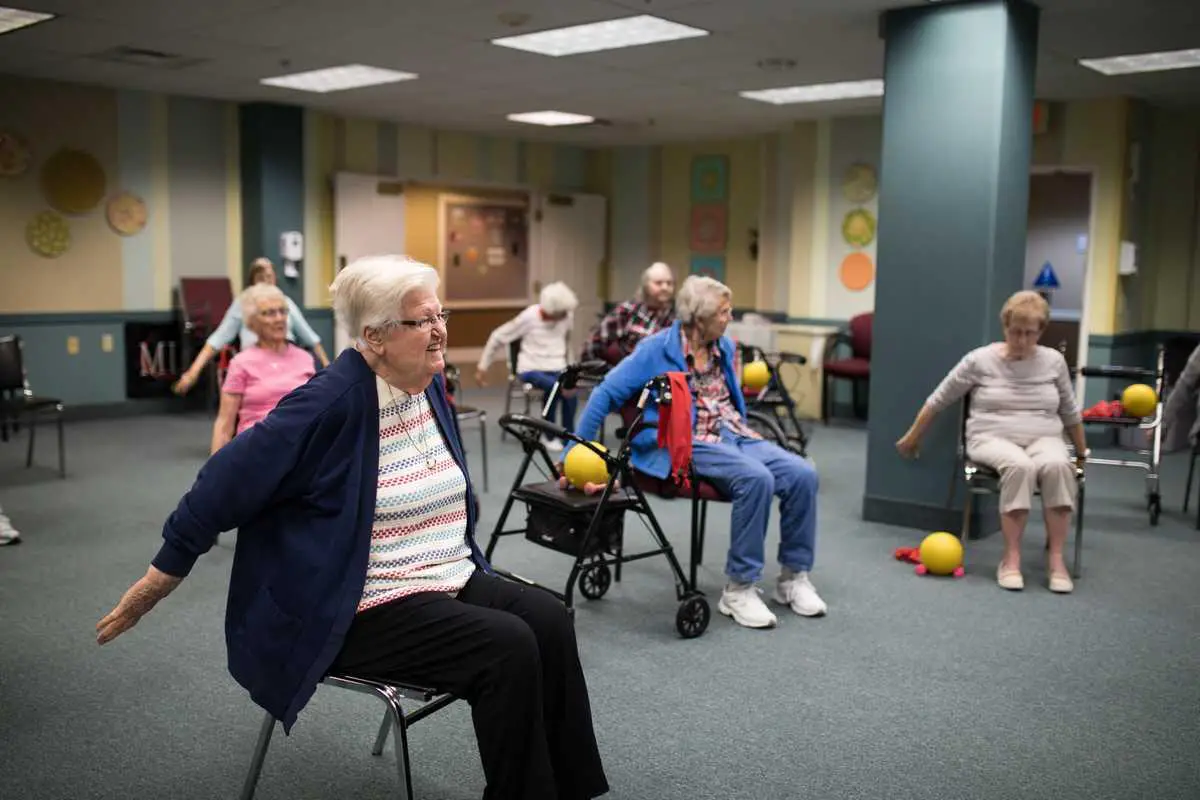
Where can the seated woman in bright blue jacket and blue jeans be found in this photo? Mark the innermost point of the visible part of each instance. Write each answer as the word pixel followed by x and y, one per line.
pixel 725 453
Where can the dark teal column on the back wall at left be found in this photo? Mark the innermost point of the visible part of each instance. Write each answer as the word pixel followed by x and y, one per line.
pixel 272 143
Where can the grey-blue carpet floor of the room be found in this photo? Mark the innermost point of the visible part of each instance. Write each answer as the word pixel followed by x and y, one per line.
pixel 910 689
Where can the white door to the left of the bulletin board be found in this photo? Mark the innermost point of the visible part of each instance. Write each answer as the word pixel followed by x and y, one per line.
pixel 369 220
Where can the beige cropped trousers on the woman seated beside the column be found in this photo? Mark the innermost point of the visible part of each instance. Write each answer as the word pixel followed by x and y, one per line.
pixel 1043 465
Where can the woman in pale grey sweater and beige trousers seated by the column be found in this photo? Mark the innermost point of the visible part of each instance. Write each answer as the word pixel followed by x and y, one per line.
pixel 1022 401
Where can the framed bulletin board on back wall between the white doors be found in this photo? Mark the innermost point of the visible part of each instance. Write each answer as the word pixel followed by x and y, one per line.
pixel 485 250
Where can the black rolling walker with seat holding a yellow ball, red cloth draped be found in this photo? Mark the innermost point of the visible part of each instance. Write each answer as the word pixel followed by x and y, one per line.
pixel 591 527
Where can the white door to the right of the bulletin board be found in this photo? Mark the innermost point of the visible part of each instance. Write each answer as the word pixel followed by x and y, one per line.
pixel 568 245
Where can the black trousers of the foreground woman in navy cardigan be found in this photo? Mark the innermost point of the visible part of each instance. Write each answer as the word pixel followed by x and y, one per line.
pixel 509 651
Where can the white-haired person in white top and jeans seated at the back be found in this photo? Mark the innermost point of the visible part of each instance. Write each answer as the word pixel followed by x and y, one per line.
pixel 543 329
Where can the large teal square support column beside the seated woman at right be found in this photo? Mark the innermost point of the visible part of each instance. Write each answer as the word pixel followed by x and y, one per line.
pixel 953 201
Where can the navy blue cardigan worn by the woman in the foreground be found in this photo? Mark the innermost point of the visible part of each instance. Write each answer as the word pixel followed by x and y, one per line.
pixel 301 489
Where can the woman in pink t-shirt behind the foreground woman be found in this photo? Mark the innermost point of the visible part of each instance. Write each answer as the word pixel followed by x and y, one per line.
pixel 261 376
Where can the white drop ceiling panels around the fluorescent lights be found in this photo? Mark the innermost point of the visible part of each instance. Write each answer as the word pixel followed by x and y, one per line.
pixel 671 92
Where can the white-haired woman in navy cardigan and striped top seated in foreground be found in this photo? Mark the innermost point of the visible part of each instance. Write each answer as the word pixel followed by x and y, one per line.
pixel 357 551
